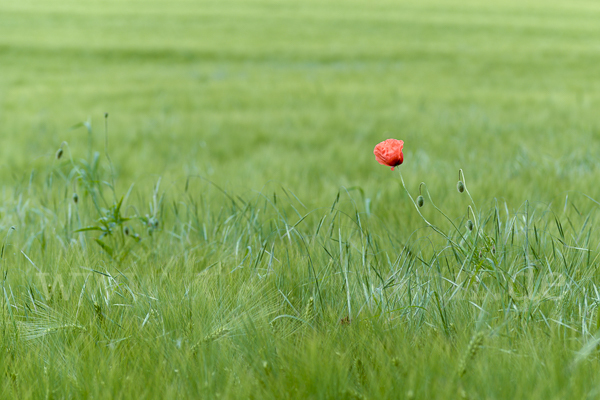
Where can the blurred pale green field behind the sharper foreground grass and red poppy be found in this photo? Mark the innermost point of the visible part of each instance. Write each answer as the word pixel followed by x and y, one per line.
pixel 270 93
